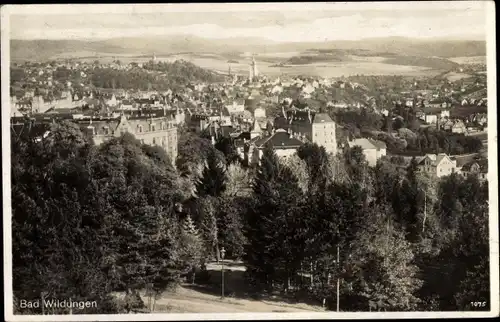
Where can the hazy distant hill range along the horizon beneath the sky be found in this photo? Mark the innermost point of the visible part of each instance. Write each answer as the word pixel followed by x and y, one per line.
pixel 47 49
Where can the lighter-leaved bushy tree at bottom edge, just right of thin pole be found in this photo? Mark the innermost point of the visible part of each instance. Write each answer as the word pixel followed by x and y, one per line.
pixel 387 277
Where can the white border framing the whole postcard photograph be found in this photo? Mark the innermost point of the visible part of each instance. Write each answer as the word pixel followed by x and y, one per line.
pixel 489 7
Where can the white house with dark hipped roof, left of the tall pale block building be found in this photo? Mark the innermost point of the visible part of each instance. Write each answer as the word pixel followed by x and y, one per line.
pixel 283 144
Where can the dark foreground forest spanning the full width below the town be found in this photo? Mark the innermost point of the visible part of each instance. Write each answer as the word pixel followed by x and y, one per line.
pixel 92 221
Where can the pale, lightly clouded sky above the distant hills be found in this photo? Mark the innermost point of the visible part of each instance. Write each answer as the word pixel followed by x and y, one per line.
pixel 292 22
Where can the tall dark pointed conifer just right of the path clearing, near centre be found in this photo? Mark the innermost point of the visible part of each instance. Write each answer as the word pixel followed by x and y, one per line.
pixel 269 252
